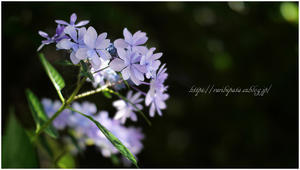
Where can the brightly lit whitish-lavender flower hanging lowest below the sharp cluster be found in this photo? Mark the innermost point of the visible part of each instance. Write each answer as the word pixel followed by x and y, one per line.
pixel 125 109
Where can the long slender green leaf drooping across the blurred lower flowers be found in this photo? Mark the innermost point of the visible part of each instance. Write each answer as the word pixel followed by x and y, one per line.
pixel 114 140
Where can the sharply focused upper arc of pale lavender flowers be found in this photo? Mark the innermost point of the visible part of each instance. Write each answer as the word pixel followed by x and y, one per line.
pixel 127 59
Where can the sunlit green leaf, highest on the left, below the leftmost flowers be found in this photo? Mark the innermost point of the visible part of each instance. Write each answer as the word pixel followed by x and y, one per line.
pixel 54 76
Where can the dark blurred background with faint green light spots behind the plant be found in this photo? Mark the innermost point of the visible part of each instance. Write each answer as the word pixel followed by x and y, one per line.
pixel 239 44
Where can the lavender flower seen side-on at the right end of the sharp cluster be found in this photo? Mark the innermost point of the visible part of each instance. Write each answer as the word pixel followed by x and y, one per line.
pixel 156 96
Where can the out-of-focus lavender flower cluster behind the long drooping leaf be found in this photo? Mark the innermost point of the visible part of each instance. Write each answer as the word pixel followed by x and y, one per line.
pixel 87 132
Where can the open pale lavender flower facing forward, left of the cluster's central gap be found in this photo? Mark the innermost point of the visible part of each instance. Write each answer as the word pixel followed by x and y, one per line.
pixel 94 46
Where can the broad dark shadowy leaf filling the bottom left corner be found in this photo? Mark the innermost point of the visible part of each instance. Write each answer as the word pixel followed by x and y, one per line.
pixel 17 150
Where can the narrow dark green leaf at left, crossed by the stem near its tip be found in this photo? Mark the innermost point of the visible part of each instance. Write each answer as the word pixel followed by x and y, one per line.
pixel 39 114
